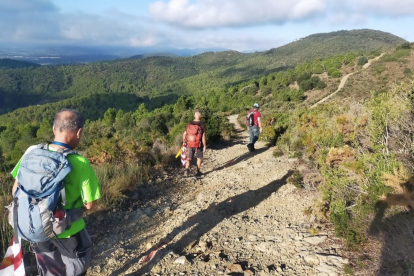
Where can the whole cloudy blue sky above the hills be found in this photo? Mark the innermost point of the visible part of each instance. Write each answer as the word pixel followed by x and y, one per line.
pixel 243 25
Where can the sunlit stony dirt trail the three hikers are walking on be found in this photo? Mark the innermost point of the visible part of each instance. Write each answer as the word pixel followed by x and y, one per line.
pixel 240 218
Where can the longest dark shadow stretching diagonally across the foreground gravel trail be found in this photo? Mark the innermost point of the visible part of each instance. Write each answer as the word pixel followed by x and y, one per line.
pixel 204 221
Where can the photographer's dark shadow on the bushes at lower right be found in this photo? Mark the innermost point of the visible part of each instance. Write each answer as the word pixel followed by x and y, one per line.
pixel 396 232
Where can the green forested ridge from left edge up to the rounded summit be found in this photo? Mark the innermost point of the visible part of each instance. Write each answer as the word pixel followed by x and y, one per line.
pixel 155 76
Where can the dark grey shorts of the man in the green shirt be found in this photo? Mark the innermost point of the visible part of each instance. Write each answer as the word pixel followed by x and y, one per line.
pixel 53 259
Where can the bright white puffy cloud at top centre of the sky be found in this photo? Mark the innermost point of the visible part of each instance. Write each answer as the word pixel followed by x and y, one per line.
pixel 219 13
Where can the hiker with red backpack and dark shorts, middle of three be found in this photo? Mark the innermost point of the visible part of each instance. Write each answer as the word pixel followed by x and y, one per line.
pixel 195 138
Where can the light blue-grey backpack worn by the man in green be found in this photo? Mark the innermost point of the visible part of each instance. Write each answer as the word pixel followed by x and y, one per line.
pixel 37 212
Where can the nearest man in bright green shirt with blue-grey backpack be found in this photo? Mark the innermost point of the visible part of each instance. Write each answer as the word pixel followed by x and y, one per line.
pixel 61 244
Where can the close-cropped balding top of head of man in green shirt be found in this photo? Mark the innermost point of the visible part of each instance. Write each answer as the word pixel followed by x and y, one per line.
pixel 68 120
